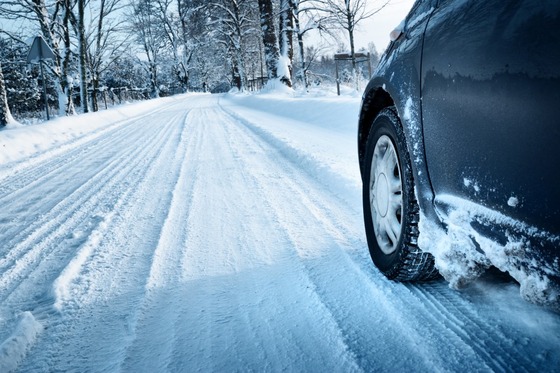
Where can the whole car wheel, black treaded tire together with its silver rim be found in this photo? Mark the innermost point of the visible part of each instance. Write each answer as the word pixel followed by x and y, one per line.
pixel 391 213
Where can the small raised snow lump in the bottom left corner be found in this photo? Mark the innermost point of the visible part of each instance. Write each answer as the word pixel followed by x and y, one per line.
pixel 14 349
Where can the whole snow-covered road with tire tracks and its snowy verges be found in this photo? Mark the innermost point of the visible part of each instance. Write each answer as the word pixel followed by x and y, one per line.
pixel 219 234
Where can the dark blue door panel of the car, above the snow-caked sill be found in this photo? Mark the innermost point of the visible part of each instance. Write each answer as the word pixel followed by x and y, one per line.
pixel 491 105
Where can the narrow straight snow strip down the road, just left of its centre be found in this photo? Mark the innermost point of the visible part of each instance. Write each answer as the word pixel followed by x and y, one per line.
pixel 149 348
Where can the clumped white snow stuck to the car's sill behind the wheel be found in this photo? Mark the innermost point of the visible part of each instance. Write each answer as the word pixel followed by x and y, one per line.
pixel 463 253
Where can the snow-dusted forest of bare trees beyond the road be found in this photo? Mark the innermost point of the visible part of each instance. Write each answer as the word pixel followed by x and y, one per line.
pixel 122 50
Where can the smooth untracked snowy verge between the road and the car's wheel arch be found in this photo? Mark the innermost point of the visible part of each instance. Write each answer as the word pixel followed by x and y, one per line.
pixel 318 133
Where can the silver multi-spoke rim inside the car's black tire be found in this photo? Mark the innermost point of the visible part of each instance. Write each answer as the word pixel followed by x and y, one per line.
pixel 385 195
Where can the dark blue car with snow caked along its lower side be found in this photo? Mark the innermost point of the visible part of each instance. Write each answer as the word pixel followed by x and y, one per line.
pixel 459 145
